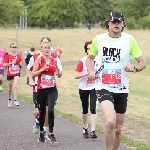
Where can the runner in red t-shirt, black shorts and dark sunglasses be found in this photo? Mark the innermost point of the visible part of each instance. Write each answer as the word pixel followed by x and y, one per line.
pixel 13 62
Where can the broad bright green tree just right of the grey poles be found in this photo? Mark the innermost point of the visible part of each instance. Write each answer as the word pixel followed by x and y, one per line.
pixel 52 11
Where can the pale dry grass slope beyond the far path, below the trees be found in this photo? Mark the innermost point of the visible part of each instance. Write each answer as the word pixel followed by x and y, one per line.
pixel 70 40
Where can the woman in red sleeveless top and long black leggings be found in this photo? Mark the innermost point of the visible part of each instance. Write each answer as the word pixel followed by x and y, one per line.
pixel 45 68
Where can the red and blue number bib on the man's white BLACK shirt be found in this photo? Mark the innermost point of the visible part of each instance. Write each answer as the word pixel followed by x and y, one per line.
pixel 111 78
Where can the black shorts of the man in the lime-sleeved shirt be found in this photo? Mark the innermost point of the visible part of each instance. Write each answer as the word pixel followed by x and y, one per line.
pixel 118 99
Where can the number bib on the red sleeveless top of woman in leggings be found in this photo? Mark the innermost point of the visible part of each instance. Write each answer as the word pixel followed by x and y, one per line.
pixel 47 81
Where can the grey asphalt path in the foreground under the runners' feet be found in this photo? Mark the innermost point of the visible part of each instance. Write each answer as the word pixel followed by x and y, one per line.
pixel 16 131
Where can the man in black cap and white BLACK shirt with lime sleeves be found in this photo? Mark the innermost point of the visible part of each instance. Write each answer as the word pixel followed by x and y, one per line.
pixel 114 49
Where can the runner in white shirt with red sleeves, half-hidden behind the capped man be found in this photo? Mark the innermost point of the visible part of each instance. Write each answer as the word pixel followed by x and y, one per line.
pixel 86 90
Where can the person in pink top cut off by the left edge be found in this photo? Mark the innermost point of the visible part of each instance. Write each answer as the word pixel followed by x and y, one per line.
pixel 2 56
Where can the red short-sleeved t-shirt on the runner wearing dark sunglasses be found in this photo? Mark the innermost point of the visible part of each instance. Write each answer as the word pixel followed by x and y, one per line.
pixel 13 69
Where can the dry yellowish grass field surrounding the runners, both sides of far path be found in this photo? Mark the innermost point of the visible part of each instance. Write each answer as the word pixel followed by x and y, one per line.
pixel 137 121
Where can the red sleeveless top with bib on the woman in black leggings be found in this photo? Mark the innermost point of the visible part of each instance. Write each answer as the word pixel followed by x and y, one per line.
pixel 47 78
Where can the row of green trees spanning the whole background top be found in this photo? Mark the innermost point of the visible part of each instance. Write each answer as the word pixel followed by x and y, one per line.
pixel 62 13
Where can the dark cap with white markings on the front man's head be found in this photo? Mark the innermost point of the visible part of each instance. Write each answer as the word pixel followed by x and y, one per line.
pixel 115 15
